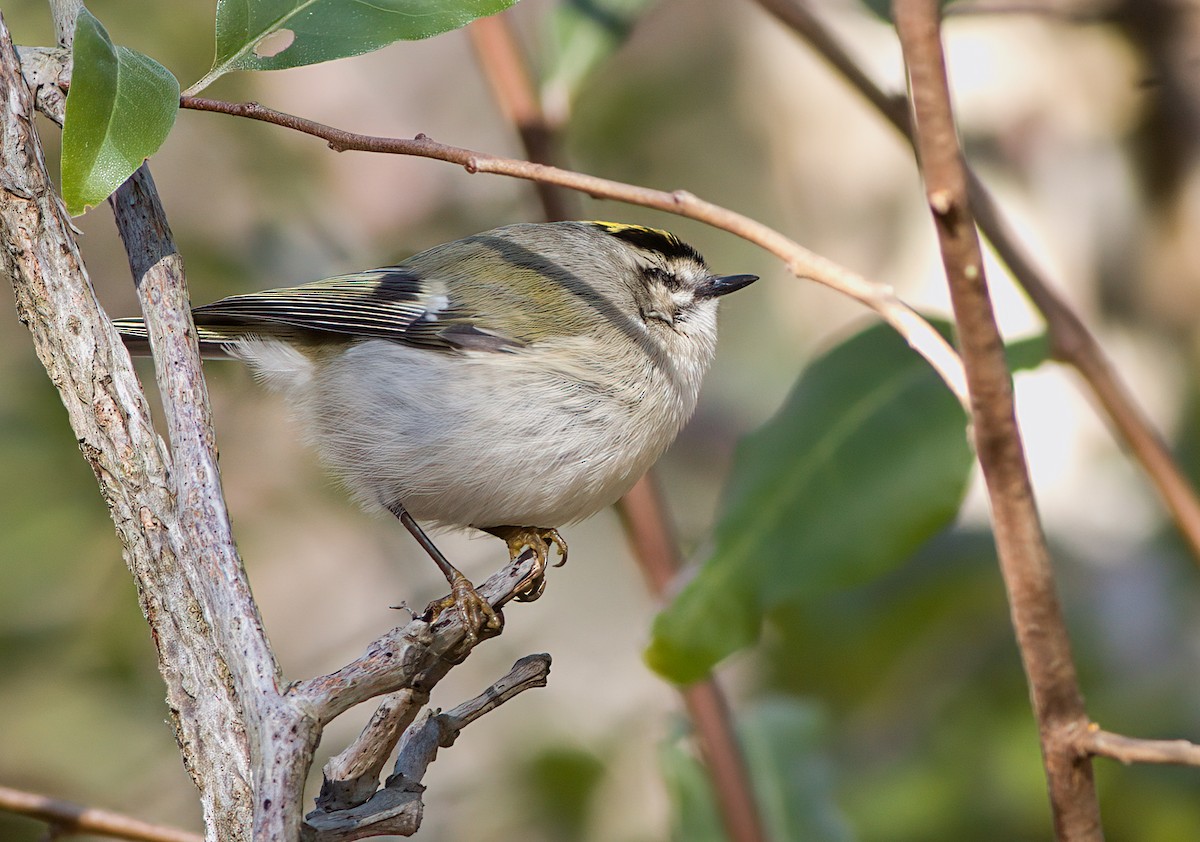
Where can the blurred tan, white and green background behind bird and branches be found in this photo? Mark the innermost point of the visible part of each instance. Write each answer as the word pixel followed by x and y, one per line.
pixel 901 706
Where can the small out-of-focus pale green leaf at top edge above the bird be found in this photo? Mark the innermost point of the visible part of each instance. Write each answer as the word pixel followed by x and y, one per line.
pixel 580 35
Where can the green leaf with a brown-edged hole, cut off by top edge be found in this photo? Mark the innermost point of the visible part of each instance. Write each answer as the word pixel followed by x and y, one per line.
pixel 280 34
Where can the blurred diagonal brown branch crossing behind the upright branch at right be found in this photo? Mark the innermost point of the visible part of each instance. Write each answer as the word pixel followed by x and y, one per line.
pixel 1071 340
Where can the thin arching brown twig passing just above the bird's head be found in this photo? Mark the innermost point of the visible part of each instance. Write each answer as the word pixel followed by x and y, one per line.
pixel 800 261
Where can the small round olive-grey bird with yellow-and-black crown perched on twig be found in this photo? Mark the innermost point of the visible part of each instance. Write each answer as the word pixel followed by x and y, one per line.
pixel 515 381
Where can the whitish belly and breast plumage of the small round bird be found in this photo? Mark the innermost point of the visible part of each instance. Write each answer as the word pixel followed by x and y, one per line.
pixel 460 442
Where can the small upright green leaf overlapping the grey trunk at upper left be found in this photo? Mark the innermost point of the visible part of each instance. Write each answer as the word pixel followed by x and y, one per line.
pixel 121 109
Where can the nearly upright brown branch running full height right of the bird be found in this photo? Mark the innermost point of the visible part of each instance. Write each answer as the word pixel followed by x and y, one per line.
pixel 1021 544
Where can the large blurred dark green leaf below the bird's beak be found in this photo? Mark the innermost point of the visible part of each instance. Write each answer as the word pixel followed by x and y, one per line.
pixel 867 460
